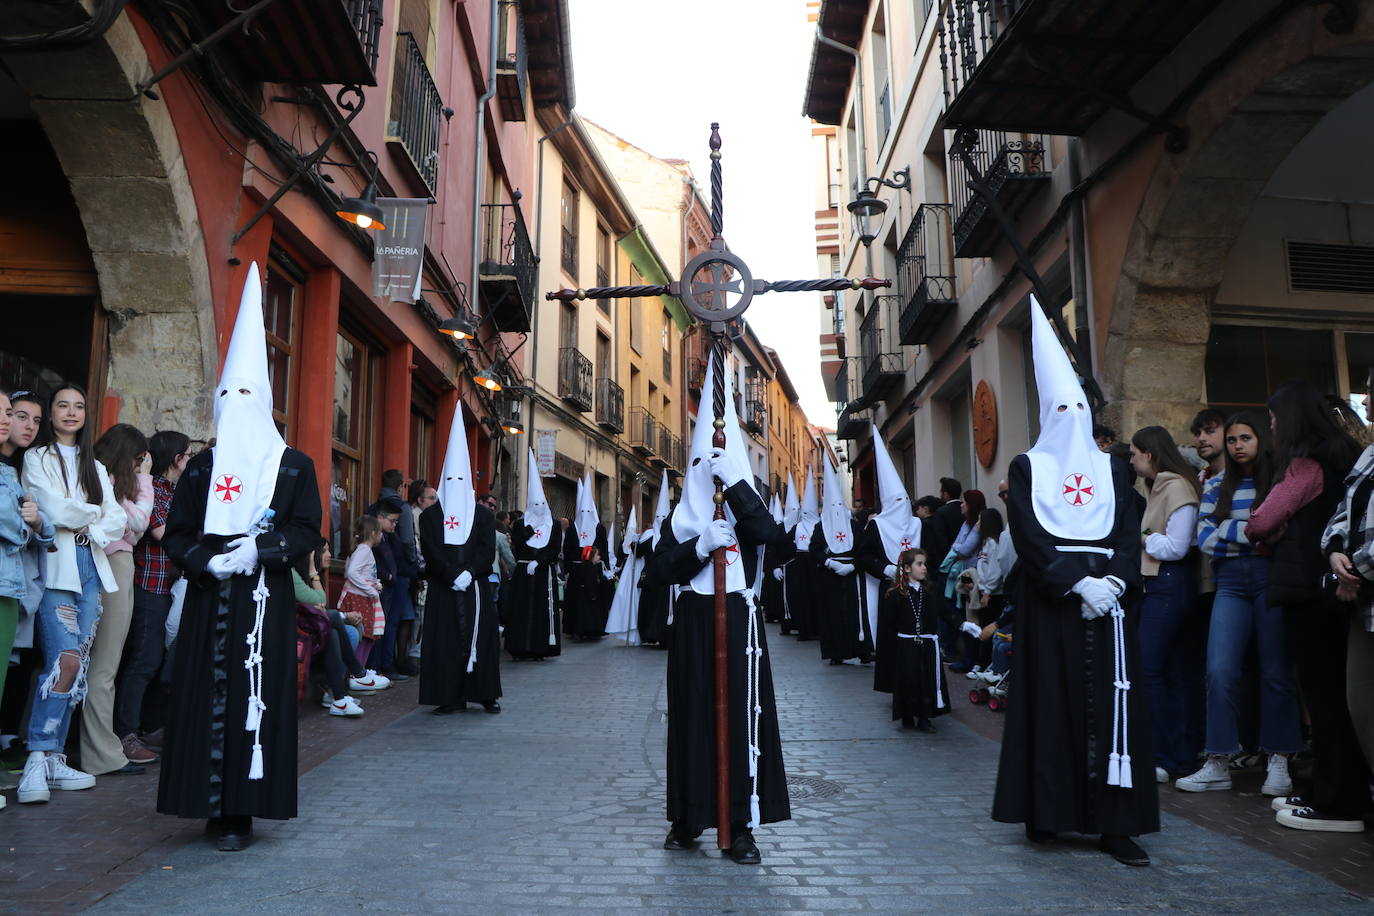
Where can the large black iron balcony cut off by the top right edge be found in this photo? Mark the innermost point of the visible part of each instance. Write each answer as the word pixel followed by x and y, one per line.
pixel 1055 67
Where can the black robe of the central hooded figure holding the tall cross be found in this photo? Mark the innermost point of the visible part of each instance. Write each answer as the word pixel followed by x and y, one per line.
pixel 692 709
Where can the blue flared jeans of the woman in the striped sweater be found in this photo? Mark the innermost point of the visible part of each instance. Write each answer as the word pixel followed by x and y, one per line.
pixel 1241 613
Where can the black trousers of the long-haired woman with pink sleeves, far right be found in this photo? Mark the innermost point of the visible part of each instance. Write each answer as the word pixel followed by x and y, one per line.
pixel 1318 634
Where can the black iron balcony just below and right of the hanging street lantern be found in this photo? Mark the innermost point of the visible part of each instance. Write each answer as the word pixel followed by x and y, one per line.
pixel 925 274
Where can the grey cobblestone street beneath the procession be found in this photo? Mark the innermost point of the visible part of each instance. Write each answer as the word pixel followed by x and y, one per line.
pixel 557 804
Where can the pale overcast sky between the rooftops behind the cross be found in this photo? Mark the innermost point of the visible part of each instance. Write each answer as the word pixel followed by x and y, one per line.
pixel 659 73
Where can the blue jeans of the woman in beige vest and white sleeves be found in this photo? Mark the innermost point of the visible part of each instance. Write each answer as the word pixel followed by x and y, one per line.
pixel 1170 599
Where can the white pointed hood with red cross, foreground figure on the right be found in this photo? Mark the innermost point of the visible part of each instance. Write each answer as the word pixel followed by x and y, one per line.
pixel 1071 479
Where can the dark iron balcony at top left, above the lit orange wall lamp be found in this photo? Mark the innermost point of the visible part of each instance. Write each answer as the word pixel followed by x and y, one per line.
pixel 330 42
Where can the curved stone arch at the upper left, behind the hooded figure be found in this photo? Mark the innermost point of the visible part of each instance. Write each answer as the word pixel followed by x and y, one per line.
pixel 131 187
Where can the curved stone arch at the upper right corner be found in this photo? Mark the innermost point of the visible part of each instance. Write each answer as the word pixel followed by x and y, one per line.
pixel 1197 204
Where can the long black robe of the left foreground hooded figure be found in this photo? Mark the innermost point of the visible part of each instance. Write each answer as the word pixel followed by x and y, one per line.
pixel 207 753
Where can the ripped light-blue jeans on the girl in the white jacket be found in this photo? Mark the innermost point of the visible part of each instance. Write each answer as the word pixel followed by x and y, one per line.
pixel 67 626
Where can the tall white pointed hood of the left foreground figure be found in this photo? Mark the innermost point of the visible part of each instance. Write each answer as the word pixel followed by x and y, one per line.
pixel 248 447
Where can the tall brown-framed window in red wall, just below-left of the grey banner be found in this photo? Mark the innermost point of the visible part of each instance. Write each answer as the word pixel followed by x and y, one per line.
pixel 357 392
